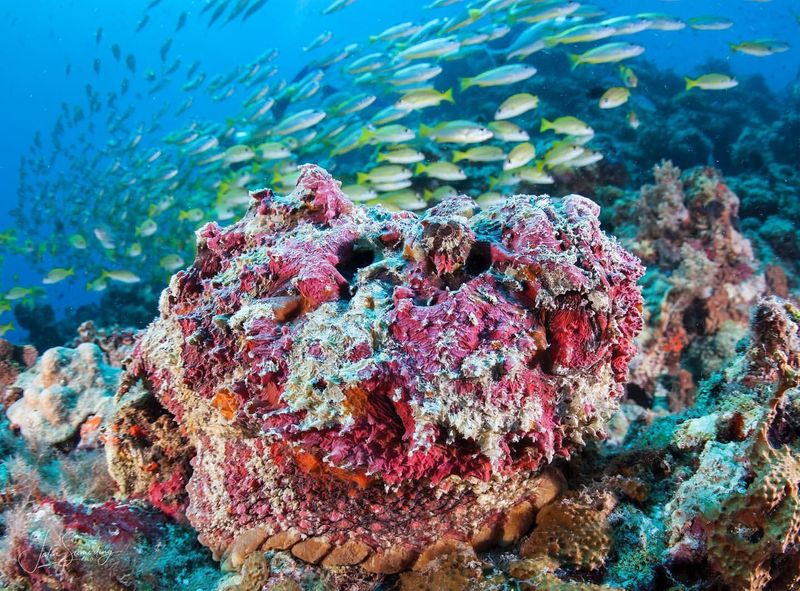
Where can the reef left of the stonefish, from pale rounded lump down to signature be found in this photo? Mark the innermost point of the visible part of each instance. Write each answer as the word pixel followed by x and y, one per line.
pixel 62 528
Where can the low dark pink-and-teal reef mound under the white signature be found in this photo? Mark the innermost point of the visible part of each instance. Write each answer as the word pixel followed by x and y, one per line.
pixel 59 545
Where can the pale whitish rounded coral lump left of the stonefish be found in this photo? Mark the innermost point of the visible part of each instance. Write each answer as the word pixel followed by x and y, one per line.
pixel 68 392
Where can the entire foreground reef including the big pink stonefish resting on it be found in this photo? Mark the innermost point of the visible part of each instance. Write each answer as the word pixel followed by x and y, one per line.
pixel 337 398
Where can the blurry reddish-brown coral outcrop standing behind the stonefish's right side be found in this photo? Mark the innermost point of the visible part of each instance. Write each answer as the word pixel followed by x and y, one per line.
pixel 702 281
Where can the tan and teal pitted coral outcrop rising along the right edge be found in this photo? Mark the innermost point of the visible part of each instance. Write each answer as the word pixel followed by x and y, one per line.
pixel 740 512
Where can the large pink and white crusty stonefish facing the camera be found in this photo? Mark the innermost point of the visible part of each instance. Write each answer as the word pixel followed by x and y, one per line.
pixel 359 384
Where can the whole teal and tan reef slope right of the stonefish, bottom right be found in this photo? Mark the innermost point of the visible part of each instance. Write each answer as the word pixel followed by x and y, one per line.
pixel 705 499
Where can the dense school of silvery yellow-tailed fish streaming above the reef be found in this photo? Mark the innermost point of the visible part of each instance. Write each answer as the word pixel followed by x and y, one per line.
pixel 384 115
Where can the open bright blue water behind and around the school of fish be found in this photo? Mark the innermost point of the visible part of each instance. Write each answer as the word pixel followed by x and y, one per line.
pixel 38 40
